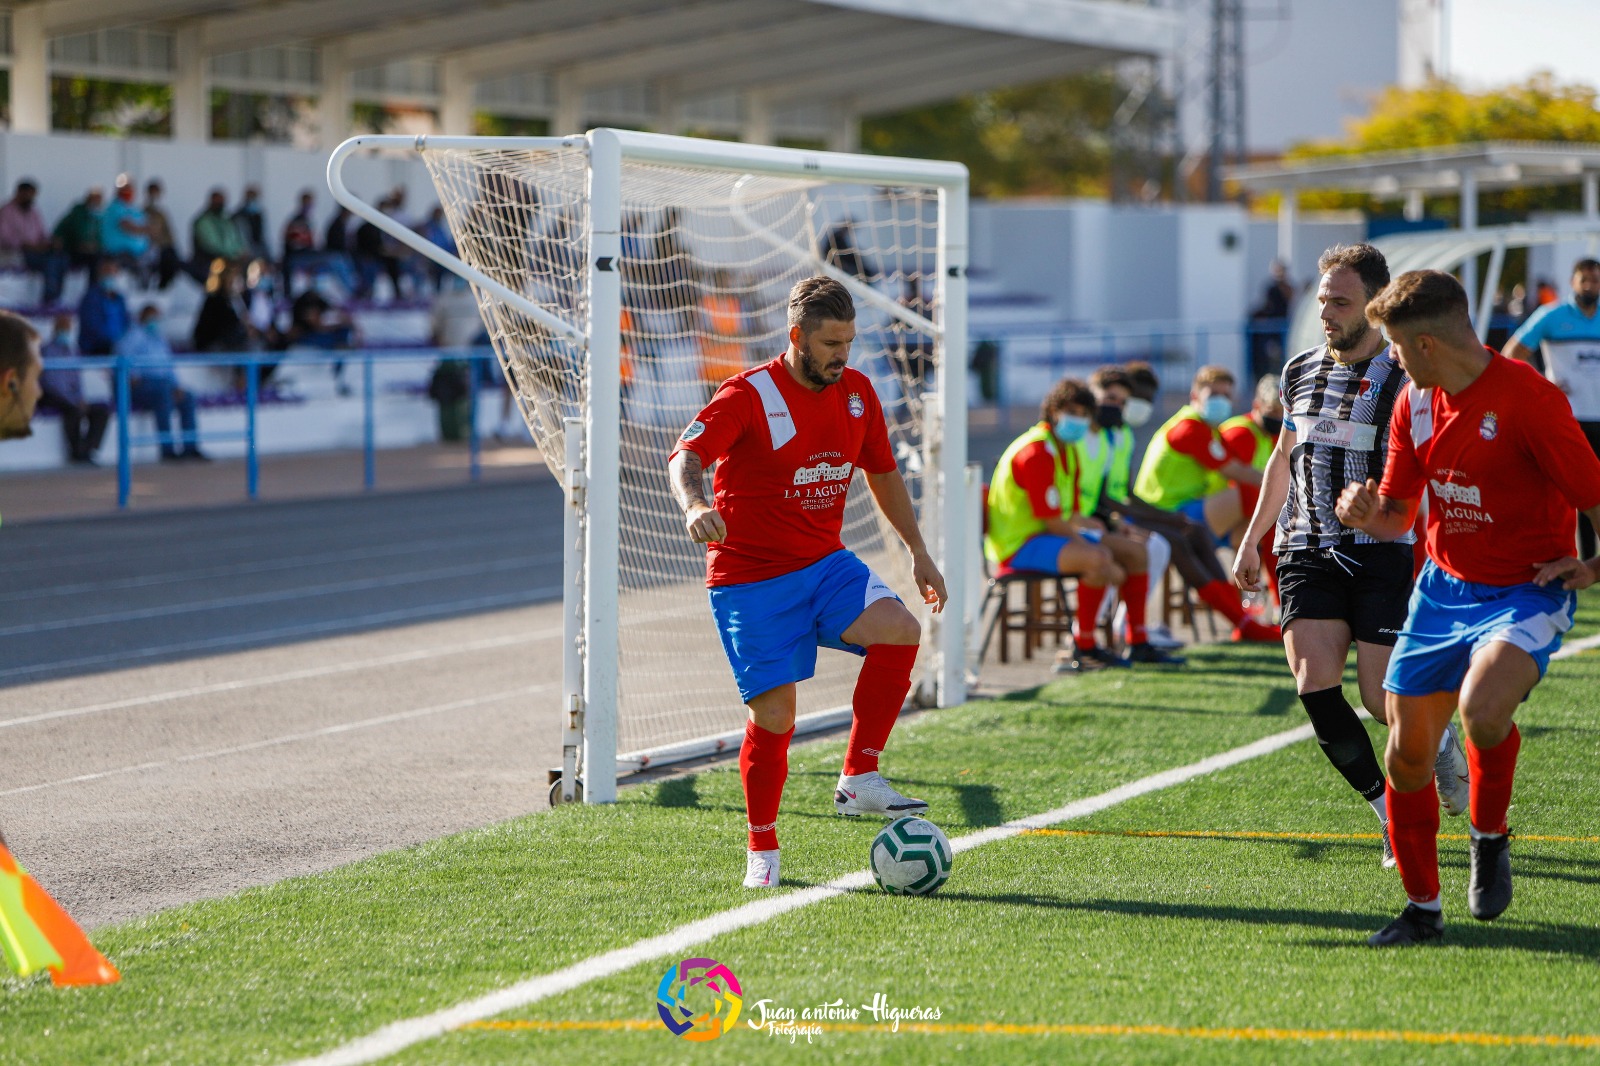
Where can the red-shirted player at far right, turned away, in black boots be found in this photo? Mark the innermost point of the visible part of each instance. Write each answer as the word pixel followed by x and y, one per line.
pixel 1506 467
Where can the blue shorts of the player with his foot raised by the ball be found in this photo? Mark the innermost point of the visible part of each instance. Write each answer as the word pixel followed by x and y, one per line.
pixel 772 630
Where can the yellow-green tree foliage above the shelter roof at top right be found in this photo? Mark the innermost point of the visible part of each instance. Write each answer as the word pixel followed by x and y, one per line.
pixel 1442 114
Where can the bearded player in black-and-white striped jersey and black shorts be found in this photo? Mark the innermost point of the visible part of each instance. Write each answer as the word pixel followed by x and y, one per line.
pixel 1337 585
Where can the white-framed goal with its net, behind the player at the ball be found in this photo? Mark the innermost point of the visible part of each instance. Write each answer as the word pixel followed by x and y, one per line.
pixel 622 276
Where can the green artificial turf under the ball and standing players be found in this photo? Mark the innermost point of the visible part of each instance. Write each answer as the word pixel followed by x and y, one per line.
pixel 1033 932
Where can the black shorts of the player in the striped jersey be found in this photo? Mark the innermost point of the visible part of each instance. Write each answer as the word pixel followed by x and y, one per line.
pixel 1364 585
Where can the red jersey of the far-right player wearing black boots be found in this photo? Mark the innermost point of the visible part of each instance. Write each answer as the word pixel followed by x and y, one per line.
pixel 1505 467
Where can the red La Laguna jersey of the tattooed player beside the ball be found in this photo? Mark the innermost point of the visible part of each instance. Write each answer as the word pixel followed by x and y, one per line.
pixel 785 460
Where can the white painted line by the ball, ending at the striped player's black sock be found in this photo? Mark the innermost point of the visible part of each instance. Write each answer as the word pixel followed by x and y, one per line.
pixel 402 1035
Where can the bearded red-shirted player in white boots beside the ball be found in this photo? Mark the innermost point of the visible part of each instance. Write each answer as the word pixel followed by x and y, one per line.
pixel 786 439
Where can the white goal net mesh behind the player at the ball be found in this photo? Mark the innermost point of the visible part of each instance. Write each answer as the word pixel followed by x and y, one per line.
pixel 708 263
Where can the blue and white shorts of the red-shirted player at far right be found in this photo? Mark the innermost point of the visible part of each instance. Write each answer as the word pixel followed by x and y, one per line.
pixel 1452 620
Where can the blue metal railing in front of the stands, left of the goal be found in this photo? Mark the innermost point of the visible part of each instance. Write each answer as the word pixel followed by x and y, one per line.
pixel 124 371
